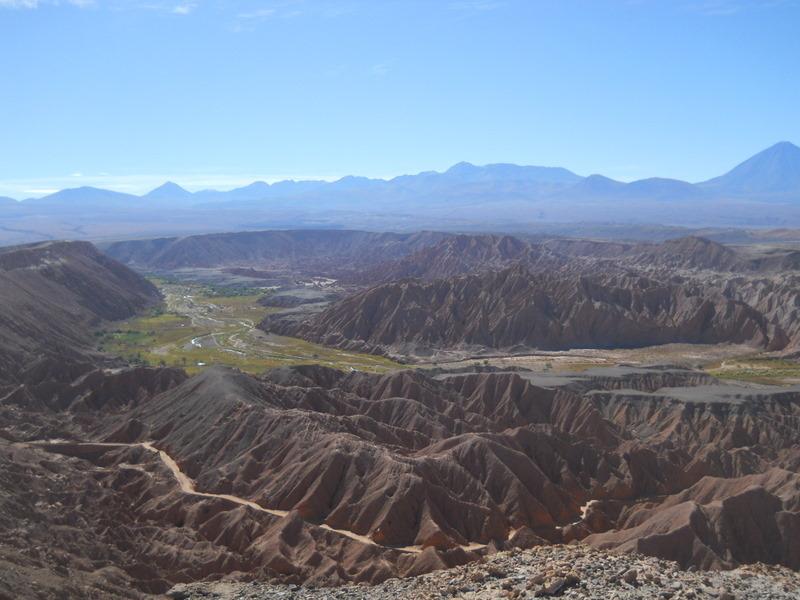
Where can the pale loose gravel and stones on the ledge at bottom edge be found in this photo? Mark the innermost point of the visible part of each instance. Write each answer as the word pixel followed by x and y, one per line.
pixel 574 571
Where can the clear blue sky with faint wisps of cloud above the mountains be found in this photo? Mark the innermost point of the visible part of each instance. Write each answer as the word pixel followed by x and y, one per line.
pixel 128 93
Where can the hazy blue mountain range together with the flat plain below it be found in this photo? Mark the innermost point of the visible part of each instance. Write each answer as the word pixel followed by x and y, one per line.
pixel 466 197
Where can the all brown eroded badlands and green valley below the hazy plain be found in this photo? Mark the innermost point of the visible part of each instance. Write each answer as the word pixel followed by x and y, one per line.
pixel 291 414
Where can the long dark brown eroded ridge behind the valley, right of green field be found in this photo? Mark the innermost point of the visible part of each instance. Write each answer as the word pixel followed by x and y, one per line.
pixel 516 308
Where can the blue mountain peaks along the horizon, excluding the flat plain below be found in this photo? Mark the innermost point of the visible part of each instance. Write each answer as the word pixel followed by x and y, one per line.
pixel 771 174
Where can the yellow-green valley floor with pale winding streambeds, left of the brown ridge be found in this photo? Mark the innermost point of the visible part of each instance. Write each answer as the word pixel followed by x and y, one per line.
pixel 199 327
